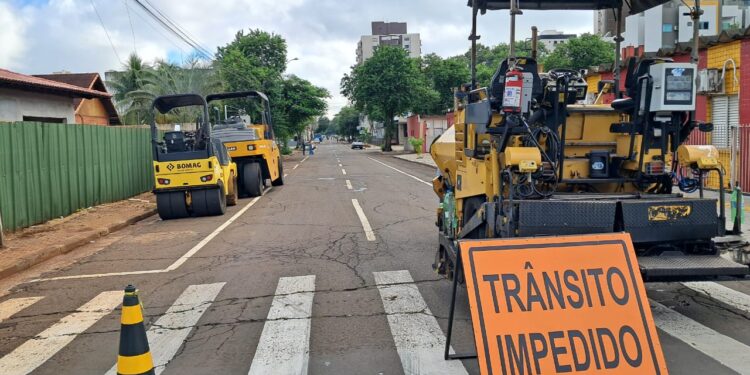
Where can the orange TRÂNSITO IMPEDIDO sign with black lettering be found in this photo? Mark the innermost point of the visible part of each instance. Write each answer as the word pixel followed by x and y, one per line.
pixel 573 304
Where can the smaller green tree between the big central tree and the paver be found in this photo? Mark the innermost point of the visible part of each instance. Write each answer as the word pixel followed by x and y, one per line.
pixel 444 75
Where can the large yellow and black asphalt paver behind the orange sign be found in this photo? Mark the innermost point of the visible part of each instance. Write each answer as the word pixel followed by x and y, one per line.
pixel 524 159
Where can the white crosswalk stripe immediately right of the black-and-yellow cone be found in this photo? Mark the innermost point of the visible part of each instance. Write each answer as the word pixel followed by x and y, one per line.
pixel 166 336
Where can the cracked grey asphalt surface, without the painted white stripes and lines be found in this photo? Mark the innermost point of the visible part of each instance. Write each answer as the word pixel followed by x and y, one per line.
pixel 306 227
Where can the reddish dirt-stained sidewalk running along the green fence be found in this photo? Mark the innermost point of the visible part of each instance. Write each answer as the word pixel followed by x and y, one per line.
pixel 33 245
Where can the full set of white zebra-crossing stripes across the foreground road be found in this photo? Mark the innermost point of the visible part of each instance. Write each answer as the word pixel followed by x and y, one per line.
pixel 284 345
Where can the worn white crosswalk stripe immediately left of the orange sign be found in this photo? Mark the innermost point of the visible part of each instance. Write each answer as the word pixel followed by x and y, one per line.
pixel 419 340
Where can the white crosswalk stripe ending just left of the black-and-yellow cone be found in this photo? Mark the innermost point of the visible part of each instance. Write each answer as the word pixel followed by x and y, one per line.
pixel 37 350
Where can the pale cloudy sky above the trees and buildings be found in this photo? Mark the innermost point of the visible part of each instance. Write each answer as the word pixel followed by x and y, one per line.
pixel 43 36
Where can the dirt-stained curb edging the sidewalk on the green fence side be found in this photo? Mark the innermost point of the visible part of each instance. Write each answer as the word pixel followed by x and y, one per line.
pixel 34 259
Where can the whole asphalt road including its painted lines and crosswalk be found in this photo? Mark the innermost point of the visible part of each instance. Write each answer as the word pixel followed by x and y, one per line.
pixel 336 263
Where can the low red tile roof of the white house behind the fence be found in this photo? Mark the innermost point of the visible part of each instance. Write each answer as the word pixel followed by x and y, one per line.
pixel 20 81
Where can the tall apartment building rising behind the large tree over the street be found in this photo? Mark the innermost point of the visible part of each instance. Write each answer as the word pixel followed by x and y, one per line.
pixel 388 33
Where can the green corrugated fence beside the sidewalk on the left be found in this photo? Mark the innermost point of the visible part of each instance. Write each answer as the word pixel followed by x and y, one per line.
pixel 53 170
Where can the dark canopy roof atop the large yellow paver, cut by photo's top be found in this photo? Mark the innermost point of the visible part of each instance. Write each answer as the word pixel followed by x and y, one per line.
pixel 637 6
